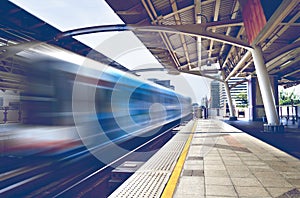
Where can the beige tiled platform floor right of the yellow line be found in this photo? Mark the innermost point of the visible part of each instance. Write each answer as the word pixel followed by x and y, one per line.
pixel 235 164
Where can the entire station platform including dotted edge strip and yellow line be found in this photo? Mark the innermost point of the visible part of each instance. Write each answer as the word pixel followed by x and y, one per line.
pixel 210 158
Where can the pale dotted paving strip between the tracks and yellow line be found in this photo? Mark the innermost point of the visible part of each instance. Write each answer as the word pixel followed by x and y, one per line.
pixel 151 178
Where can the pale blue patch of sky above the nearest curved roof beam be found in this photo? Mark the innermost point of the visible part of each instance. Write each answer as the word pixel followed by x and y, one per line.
pixel 70 14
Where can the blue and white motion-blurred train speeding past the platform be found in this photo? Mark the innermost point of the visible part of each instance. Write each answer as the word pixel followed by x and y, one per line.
pixel 104 104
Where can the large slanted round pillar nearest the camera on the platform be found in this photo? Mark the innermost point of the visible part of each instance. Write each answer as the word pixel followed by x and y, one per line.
pixel 265 87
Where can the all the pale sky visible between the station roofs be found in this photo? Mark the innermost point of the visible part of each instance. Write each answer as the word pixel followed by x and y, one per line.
pixel 123 47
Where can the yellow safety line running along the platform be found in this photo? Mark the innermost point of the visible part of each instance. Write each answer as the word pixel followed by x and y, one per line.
pixel 171 185
